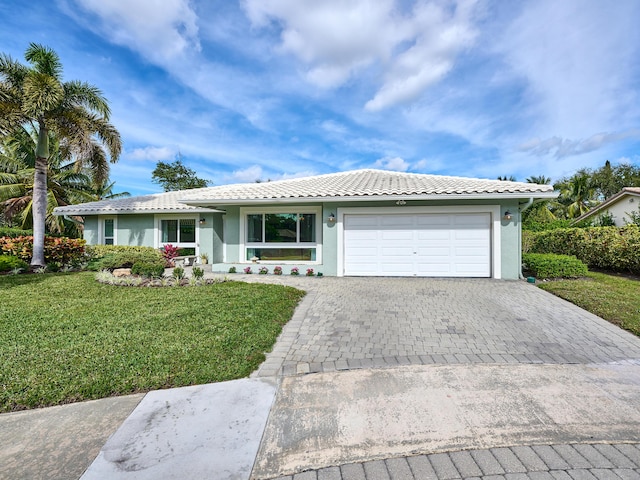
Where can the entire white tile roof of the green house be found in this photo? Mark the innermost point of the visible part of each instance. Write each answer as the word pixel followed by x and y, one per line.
pixel 357 184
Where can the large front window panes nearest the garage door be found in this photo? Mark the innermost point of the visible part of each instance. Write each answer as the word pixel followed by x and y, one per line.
pixel 282 236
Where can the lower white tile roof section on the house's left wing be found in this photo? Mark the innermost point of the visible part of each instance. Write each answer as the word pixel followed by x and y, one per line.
pixel 155 203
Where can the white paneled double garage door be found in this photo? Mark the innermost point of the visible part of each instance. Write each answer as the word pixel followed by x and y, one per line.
pixel 422 245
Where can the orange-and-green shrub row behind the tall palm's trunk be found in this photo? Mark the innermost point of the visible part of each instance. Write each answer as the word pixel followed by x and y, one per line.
pixel 57 250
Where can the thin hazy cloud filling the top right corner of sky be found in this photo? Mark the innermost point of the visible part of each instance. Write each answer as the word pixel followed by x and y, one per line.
pixel 578 60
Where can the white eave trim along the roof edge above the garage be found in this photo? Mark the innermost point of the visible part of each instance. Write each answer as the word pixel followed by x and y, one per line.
pixel 375 198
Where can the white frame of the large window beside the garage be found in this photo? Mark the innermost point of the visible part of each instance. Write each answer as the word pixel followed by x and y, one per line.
pixel 293 209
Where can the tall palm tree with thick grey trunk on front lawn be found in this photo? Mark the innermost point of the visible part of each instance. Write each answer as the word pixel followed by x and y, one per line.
pixel 75 112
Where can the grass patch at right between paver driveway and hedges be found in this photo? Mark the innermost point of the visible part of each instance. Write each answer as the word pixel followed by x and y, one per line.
pixel 612 297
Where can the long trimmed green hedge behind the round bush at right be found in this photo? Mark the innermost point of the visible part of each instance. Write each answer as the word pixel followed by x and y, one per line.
pixel 609 248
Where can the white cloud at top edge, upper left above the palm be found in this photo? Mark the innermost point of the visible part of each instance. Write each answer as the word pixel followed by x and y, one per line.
pixel 161 31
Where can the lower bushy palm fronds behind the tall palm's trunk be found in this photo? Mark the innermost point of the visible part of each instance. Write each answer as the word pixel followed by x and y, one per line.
pixel 17 170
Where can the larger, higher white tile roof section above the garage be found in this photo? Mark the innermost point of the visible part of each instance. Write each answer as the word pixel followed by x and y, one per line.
pixel 362 184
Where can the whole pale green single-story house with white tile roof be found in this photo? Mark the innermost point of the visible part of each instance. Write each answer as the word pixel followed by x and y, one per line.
pixel 357 223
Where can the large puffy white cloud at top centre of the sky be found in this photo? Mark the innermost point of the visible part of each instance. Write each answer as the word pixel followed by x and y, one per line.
pixel 340 39
